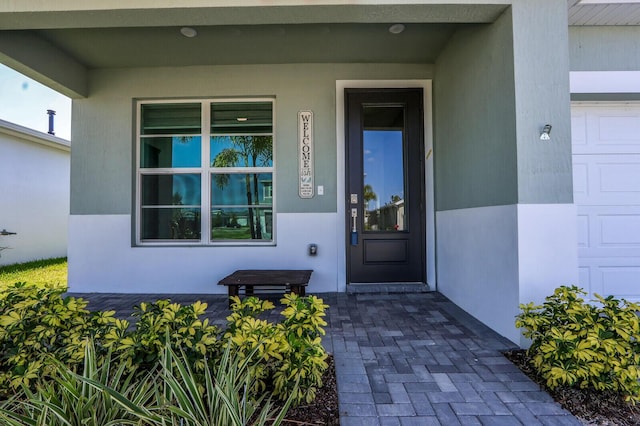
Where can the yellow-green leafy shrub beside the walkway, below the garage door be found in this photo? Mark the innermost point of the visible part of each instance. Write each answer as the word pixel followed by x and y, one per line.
pixel 585 345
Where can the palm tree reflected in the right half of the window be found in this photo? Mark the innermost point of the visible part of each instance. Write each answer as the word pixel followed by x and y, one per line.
pixel 245 151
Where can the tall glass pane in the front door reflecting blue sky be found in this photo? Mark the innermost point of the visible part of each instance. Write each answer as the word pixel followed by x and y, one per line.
pixel 383 166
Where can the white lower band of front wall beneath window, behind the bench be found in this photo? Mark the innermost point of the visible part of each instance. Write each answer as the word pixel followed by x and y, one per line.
pixel 101 258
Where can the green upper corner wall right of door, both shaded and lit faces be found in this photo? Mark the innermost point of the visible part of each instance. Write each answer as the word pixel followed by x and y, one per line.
pixel 495 88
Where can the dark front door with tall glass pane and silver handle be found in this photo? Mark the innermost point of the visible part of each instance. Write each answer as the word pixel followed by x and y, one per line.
pixel 385 185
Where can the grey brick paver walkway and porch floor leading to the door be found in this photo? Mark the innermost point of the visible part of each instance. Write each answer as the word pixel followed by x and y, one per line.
pixel 409 359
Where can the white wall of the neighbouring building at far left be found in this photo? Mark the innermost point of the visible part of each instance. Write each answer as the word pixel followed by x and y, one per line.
pixel 34 194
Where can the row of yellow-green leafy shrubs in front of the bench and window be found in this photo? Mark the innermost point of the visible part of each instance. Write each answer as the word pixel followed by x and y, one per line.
pixel 38 325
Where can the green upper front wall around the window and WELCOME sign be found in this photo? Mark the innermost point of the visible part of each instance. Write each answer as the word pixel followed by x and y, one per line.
pixel 103 136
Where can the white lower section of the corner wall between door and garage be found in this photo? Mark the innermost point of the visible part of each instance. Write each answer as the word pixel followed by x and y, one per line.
pixel 491 259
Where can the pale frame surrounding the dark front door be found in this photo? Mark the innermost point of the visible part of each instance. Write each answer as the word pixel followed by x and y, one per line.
pixel 341 237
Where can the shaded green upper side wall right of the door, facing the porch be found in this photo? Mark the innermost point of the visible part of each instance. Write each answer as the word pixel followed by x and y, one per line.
pixel 474 130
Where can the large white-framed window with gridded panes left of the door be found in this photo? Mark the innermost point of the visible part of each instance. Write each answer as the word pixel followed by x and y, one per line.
pixel 205 172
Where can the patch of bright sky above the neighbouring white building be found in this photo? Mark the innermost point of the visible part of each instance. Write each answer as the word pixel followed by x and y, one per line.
pixel 25 102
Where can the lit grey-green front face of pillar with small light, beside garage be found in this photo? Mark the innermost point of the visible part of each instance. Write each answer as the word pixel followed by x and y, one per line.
pixel 541 76
